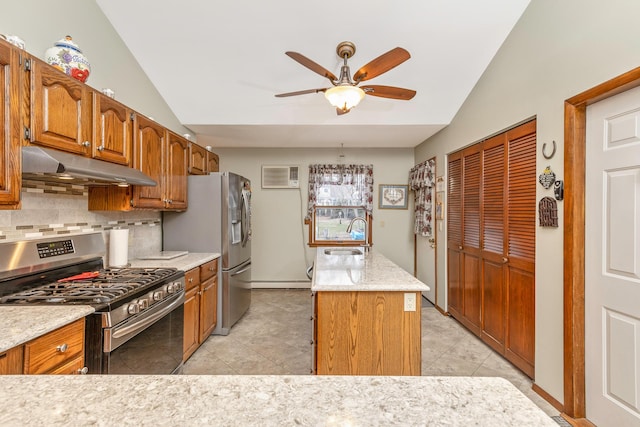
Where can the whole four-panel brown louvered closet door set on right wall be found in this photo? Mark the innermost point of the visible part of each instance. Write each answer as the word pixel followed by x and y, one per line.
pixel 491 205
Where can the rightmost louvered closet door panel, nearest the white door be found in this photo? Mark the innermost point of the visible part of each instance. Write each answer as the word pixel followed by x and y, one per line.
pixel 521 227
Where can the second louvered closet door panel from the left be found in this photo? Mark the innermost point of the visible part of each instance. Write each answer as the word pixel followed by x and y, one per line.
pixel 471 253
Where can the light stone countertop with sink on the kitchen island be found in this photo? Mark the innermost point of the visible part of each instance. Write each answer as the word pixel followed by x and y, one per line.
pixel 371 271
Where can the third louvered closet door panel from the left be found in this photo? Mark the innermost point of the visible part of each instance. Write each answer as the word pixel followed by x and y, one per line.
pixel 493 242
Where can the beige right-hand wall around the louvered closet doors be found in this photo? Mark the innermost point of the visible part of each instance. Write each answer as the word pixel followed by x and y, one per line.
pixel 558 49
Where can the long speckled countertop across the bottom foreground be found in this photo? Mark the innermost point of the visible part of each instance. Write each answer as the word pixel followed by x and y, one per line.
pixel 267 400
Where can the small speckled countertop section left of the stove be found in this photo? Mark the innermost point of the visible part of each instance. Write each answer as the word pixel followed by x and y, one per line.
pixel 19 324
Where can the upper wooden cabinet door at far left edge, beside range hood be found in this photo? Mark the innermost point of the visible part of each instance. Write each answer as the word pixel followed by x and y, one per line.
pixel 10 127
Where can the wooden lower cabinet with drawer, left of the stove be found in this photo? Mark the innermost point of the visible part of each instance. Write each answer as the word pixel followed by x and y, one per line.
pixel 57 352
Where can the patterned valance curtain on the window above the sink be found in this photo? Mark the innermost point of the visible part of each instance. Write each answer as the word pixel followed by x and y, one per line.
pixel 340 185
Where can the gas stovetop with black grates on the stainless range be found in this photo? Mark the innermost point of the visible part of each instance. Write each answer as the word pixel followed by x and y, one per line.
pixel 108 286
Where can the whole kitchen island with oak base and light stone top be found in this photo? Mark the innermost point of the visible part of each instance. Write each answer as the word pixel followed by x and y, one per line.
pixel 366 314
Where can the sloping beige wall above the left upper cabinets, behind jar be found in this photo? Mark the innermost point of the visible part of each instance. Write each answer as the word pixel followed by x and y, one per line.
pixel 40 23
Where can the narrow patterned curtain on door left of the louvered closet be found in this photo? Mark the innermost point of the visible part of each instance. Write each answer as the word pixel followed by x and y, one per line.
pixel 421 181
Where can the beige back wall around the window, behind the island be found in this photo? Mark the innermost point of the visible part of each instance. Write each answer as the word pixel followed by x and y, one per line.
pixel 279 238
